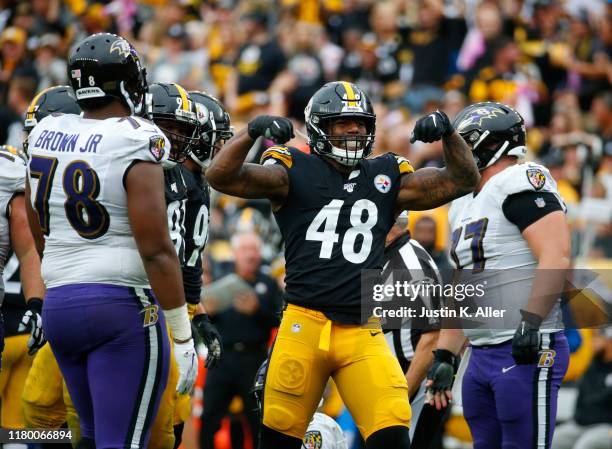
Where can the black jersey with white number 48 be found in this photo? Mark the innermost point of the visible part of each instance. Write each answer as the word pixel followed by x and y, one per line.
pixel 334 225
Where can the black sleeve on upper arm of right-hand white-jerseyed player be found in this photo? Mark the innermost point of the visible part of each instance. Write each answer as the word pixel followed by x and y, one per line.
pixel 525 208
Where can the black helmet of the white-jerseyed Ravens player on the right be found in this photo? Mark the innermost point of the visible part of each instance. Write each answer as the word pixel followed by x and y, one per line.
pixel 492 130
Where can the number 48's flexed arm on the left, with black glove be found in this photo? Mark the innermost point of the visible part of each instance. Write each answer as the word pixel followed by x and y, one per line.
pixel 229 174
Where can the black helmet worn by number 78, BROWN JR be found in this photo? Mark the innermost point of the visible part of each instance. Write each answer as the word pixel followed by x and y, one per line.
pixel 107 65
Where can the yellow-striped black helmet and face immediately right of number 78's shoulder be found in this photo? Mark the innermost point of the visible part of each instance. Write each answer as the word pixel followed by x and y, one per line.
pixel 173 111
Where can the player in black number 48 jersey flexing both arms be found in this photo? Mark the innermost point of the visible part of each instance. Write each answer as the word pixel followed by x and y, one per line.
pixel 334 208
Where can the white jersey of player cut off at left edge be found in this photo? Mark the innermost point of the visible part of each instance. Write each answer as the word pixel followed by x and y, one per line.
pixel 12 181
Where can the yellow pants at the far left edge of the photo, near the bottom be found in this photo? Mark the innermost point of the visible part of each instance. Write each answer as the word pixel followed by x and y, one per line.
pixel 15 366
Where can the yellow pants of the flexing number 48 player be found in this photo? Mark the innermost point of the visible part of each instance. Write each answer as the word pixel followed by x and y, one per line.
pixel 309 349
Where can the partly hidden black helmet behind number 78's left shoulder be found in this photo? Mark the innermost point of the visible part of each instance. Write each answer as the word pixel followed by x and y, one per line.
pixel 48 101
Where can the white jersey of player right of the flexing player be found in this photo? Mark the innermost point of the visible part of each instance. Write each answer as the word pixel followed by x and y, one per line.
pixel 484 239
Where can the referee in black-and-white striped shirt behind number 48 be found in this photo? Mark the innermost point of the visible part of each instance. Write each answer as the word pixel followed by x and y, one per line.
pixel 405 260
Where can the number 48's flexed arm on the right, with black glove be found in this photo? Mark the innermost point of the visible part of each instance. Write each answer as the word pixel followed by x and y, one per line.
pixel 428 188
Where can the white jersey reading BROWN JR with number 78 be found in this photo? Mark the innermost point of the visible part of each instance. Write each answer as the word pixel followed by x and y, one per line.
pixel 77 172
